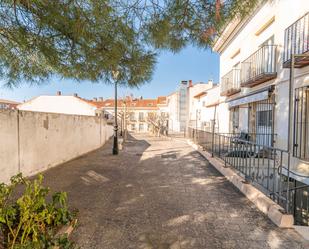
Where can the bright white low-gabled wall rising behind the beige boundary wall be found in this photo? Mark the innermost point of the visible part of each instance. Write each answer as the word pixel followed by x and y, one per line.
pixel 59 104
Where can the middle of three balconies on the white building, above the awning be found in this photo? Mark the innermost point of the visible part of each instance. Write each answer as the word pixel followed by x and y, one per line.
pixel 259 67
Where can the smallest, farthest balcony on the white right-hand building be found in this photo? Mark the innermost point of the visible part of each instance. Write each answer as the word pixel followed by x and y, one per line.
pixel 230 83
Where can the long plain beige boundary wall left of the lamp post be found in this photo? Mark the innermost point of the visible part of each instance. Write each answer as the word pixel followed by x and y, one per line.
pixel 31 142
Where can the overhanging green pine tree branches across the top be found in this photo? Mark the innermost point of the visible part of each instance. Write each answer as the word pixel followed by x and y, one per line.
pixel 89 39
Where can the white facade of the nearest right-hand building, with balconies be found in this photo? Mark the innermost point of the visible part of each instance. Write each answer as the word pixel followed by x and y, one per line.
pixel 255 55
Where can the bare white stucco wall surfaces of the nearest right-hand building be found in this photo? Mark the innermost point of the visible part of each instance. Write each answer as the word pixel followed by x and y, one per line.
pixel 285 12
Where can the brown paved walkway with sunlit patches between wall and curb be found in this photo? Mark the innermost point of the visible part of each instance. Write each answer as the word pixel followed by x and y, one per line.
pixel 160 194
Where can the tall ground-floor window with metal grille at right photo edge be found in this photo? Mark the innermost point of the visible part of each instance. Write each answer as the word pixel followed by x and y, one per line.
pixel 301 124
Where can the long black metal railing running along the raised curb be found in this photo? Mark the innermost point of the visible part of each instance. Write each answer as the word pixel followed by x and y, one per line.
pixel 264 166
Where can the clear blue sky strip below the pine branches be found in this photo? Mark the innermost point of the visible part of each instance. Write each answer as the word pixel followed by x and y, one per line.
pixel 189 64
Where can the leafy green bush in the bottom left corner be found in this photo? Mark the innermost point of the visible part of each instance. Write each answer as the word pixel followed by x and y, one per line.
pixel 30 217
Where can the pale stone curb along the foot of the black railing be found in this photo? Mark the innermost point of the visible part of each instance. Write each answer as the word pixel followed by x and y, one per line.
pixel 261 201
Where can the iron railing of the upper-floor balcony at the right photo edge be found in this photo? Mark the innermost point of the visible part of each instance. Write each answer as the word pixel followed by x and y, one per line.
pixel 296 38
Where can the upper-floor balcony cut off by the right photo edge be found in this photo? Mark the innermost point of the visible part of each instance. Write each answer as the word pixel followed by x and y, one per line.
pixel 296 41
